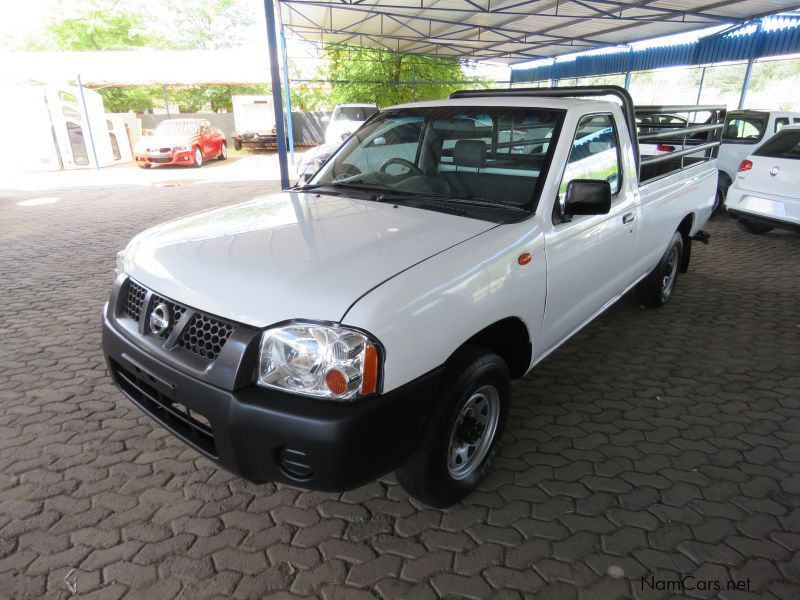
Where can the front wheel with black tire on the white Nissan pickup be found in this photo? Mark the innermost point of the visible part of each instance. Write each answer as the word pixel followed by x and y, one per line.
pixel 428 474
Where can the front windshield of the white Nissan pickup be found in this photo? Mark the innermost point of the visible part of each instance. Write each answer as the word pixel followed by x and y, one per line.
pixel 495 155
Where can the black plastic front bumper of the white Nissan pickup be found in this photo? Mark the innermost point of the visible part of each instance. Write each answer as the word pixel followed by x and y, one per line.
pixel 268 435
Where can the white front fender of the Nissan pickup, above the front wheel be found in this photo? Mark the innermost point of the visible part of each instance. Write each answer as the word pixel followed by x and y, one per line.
pixel 423 315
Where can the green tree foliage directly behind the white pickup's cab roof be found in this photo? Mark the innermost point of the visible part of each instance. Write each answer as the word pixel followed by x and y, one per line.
pixel 373 75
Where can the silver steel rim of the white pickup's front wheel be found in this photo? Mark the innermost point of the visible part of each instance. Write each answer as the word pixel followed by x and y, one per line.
pixel 473 432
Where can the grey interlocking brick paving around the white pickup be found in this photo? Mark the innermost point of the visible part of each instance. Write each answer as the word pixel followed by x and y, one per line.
pixel 656 443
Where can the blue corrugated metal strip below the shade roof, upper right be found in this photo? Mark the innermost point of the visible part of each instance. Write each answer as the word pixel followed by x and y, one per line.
pixel 769 36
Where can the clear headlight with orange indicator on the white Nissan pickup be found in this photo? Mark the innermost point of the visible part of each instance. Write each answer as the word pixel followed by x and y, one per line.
pixel 326 361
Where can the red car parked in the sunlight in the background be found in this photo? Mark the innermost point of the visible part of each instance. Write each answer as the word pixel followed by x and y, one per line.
pixel 181 142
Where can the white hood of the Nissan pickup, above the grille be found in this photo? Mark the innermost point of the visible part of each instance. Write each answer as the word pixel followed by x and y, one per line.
pixel 289 256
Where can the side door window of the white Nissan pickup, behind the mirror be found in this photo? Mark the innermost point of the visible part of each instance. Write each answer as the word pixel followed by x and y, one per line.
pixel 594 154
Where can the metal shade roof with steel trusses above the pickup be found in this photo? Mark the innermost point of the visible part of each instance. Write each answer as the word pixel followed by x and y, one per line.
pixel 509 31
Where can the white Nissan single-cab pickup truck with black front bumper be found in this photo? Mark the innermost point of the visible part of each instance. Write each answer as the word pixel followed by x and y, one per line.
pixel 372 319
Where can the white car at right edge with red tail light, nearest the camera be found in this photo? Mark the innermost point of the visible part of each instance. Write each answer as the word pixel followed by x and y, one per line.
pixel 766 191
